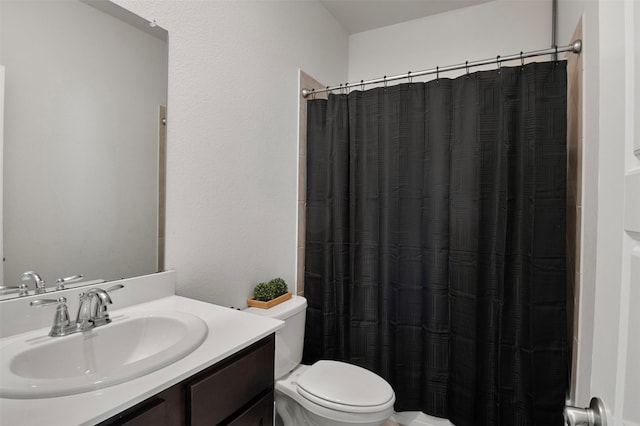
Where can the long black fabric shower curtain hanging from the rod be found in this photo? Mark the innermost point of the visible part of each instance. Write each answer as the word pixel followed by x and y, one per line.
pixel 435 242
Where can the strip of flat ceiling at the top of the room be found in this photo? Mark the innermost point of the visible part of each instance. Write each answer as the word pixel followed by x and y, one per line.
pixel 363 15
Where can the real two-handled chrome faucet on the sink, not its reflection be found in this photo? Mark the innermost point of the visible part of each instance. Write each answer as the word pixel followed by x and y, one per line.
pixel 91 313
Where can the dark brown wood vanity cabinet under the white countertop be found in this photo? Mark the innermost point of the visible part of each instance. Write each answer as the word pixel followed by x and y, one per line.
pixel 236 391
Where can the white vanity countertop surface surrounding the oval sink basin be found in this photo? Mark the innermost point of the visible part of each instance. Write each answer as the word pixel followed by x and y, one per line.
pixel 229 331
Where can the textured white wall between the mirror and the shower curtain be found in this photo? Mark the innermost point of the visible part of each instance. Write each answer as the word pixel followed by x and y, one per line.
pixel 232 135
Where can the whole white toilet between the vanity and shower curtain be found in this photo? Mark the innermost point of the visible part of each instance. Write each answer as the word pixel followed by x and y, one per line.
pixel 327 393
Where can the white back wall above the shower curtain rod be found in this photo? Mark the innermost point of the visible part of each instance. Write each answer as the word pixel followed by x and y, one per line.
pixel 500 27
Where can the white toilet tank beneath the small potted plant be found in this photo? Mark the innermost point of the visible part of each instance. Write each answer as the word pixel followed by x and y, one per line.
pixel 290 338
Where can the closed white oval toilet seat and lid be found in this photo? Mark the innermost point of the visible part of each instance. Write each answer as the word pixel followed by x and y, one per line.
pixel 345 387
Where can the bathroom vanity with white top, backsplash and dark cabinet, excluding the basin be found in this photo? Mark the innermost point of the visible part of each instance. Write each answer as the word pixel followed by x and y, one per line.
pixel 227 379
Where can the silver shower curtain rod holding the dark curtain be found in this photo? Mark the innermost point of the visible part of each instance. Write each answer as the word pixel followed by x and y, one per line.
pixel 574 47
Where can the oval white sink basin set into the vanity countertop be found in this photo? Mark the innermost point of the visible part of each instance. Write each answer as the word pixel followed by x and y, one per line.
pixel 39 366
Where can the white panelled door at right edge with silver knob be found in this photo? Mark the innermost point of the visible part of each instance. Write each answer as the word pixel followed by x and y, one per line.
pixel 615 375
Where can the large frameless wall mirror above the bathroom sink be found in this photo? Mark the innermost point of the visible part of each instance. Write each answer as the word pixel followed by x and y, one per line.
pixel 85 84
